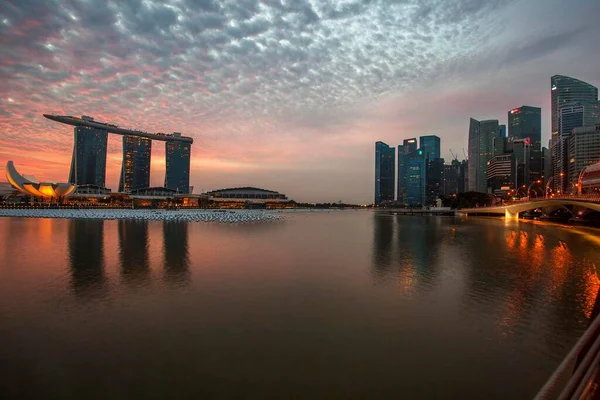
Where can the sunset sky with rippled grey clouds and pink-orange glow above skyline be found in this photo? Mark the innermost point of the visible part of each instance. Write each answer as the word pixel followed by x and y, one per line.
pixel 287 95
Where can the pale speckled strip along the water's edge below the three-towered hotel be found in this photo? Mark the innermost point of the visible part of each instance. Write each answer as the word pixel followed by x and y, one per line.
pixel 189 215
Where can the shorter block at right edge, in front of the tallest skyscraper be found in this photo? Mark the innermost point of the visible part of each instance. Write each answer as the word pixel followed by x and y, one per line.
pixel 584 150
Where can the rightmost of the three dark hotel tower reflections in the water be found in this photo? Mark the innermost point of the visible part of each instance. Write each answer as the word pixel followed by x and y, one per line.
pixel 175 252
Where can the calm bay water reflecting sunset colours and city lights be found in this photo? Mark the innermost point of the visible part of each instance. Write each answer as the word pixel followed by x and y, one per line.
pixel 318 305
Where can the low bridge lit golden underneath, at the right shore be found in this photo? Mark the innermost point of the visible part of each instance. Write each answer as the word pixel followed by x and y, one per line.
pixel 512 210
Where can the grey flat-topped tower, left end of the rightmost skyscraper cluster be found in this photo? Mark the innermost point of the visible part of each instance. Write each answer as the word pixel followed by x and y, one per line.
pixel 481 139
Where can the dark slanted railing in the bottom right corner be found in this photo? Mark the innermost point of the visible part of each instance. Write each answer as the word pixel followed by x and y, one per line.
pixel 578 375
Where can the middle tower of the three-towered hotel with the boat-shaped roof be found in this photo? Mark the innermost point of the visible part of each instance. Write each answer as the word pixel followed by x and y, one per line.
pixel 135 169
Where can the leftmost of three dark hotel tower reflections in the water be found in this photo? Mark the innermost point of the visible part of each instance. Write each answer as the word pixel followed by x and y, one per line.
pixel 86 257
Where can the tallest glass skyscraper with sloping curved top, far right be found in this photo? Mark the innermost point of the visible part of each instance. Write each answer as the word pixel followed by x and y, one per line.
pixel 565 92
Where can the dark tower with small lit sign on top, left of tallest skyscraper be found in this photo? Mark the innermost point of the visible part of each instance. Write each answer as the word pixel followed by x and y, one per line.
pixel 525 123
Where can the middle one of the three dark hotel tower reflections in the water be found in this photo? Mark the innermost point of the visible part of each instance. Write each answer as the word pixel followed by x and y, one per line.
pixel 133 252
